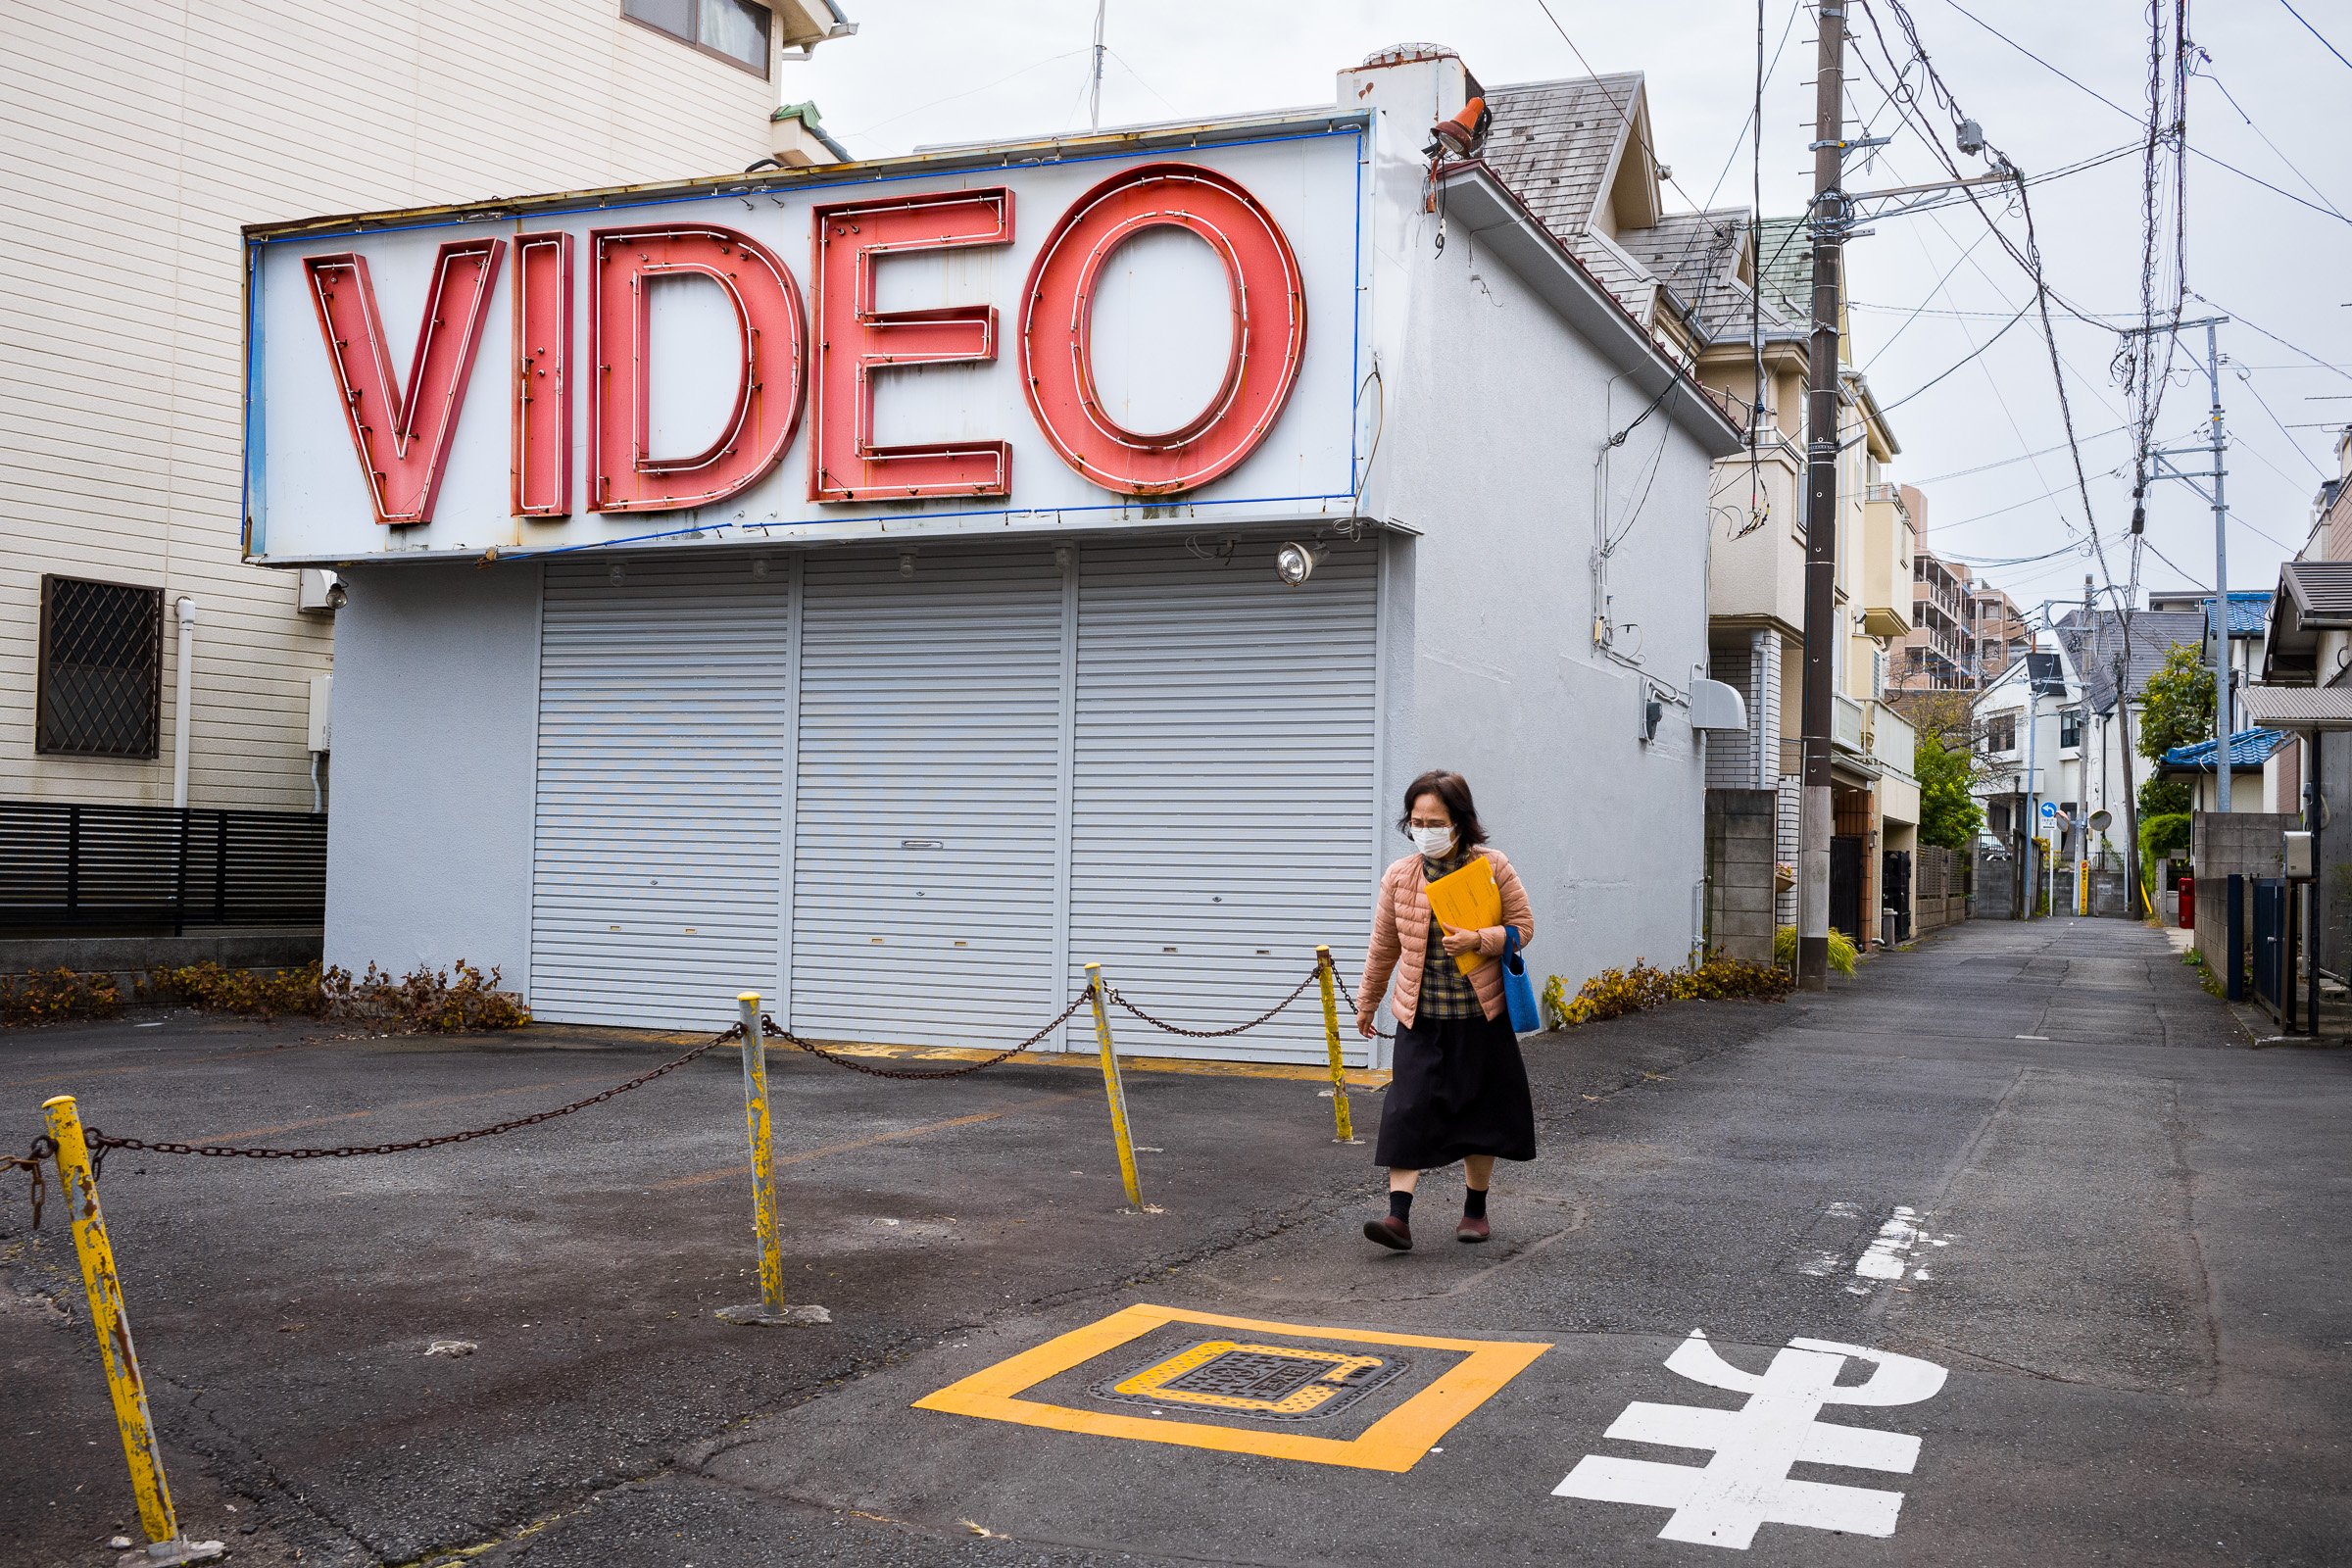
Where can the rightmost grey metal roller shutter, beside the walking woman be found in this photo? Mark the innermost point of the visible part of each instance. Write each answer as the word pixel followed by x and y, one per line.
pixel 1224 786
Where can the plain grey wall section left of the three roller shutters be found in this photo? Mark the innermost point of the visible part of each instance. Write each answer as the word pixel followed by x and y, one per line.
pixel 436 699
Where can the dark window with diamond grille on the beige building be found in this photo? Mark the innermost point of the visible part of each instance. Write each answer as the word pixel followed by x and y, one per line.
pixel 100 669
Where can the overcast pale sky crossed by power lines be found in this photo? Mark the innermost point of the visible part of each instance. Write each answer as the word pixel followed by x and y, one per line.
pixel 928 72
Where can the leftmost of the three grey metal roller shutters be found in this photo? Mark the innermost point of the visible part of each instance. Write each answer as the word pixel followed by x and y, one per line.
pixel 662 746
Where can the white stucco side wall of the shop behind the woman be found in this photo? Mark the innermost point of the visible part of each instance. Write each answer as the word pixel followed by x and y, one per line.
pixel 1497 415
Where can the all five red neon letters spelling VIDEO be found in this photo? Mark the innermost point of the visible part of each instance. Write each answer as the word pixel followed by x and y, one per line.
pixel 403 431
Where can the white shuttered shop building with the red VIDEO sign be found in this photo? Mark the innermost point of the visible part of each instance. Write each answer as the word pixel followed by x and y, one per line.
pixel 900 584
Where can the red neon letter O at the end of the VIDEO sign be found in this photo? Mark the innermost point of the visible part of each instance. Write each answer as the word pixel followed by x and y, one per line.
pixel 1057 330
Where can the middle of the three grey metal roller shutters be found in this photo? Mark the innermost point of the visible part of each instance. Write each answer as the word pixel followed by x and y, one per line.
pixel 928 796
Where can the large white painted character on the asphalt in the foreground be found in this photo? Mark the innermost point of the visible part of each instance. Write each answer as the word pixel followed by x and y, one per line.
pixel 1746 1485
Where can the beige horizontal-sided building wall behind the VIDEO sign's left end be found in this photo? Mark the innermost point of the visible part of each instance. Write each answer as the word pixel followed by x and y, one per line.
pixel 138 142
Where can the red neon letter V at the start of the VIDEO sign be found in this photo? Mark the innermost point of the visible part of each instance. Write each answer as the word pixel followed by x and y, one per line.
pixel 403 438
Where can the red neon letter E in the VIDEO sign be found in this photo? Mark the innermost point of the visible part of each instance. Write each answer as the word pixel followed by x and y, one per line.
pixel 855 342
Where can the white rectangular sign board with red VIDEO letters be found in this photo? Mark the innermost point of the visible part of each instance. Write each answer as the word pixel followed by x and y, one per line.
pixel 890 351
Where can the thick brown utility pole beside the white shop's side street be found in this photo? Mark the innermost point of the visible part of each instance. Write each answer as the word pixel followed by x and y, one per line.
pixel 1822 504
